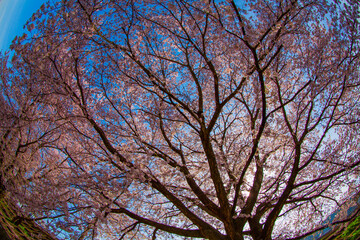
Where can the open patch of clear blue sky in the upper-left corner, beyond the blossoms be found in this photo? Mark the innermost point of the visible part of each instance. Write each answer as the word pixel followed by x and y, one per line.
pixel 13 16
